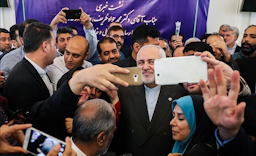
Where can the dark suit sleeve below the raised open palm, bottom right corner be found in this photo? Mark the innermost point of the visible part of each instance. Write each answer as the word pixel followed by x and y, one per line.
pixel 241 145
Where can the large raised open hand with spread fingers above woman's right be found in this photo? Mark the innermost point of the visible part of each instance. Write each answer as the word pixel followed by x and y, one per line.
pixel 221 108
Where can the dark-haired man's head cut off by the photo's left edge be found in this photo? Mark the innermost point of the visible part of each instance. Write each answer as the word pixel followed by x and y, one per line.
pixel 5 40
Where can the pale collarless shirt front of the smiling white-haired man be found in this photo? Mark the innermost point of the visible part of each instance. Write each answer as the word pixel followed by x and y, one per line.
pixel 151 99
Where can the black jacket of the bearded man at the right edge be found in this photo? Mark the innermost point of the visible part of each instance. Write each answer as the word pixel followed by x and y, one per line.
pixel 247 67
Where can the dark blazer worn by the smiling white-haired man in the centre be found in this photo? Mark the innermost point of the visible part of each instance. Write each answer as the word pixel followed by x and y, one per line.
pixel 136 134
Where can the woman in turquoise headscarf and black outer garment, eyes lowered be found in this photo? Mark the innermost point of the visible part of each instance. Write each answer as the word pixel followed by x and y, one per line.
pixel 191 127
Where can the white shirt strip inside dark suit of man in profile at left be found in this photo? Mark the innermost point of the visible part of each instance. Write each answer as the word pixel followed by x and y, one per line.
pixel 43 75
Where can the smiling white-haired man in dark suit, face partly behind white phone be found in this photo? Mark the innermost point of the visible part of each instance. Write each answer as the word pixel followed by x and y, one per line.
pixel 144 127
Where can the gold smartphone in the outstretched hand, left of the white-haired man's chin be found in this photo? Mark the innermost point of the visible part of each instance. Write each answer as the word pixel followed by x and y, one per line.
pixel 134 78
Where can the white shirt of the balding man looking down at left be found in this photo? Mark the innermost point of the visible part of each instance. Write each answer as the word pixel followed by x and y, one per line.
pixel 58 69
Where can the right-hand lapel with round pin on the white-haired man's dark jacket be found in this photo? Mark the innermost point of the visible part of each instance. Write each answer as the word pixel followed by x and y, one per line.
pixel 163 106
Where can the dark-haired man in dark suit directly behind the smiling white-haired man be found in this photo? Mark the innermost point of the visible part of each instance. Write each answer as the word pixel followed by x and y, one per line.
pixel 142 35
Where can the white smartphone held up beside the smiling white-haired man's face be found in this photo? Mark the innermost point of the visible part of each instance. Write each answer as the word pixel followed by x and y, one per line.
pixel 175 70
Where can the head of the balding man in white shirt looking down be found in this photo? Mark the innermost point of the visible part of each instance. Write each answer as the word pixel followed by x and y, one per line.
pixel 76 52
